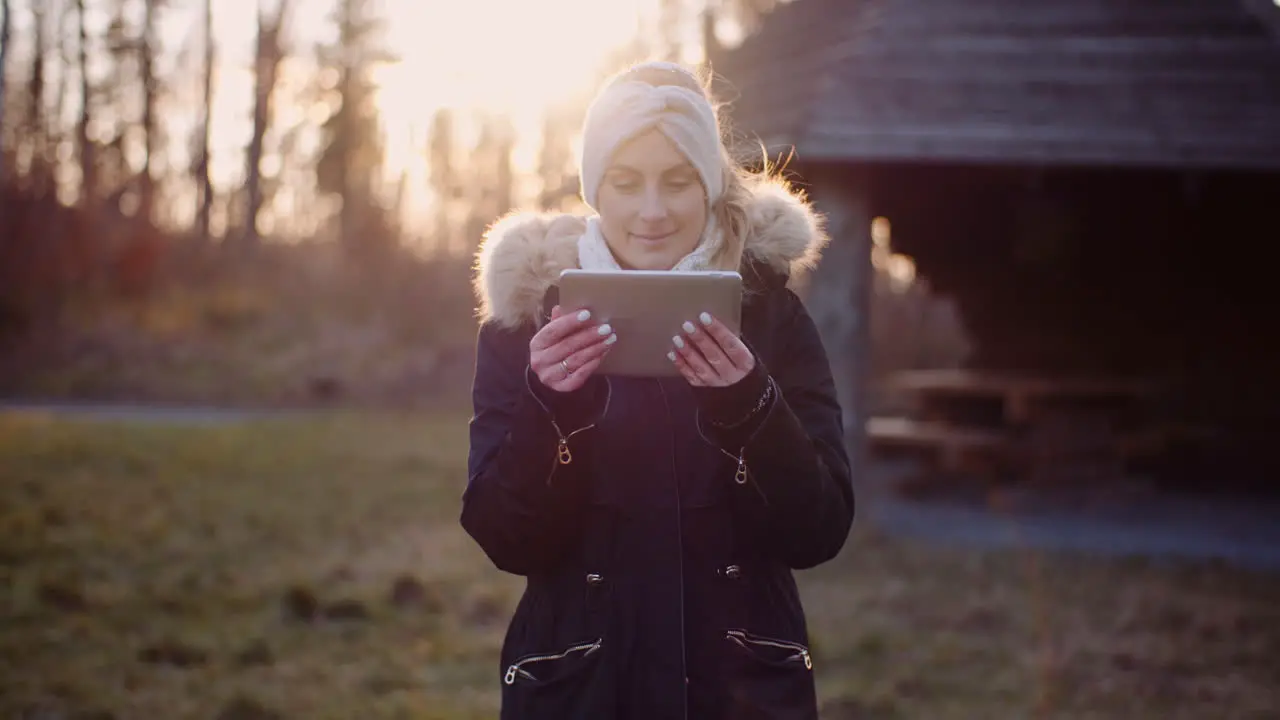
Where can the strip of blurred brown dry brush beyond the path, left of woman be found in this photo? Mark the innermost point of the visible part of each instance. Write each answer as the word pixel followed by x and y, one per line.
pixel 273 332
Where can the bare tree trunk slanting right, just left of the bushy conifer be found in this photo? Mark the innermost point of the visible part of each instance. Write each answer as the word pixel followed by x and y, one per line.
pixel 267 71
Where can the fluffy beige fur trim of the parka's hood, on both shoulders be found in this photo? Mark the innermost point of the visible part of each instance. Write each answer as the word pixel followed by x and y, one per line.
pixel 523 256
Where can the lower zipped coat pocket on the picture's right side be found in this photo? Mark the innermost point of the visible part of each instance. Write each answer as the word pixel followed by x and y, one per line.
pixel 769 678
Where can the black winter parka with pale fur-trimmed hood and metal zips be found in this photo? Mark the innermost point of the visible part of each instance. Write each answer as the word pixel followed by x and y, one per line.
pixel 657 540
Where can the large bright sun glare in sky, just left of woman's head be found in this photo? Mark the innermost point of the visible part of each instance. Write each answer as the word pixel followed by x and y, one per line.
pixel 506 57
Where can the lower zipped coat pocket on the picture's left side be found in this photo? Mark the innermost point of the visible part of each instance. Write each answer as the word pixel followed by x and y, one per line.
pixel 557 685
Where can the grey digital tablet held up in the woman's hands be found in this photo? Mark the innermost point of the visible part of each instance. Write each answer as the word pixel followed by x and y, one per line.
pixel 648 308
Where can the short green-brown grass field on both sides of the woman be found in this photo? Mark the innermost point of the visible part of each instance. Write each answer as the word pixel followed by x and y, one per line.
pixel 316 569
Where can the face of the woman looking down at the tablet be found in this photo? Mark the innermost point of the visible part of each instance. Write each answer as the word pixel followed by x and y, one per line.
pixel 652 204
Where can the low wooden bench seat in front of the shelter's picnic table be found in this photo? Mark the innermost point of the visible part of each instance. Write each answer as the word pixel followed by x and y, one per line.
pixel 950 448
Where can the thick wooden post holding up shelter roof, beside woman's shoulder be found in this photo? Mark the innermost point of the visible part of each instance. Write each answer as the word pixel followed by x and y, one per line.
pixel 839 295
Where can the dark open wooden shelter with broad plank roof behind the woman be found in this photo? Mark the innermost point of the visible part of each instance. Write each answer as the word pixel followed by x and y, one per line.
pixel 1095 183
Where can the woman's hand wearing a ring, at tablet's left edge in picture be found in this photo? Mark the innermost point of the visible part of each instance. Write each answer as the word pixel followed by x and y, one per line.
pixel 569 349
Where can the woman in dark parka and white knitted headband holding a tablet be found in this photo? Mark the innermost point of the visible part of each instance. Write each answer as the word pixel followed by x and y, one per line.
pixel 657 521
